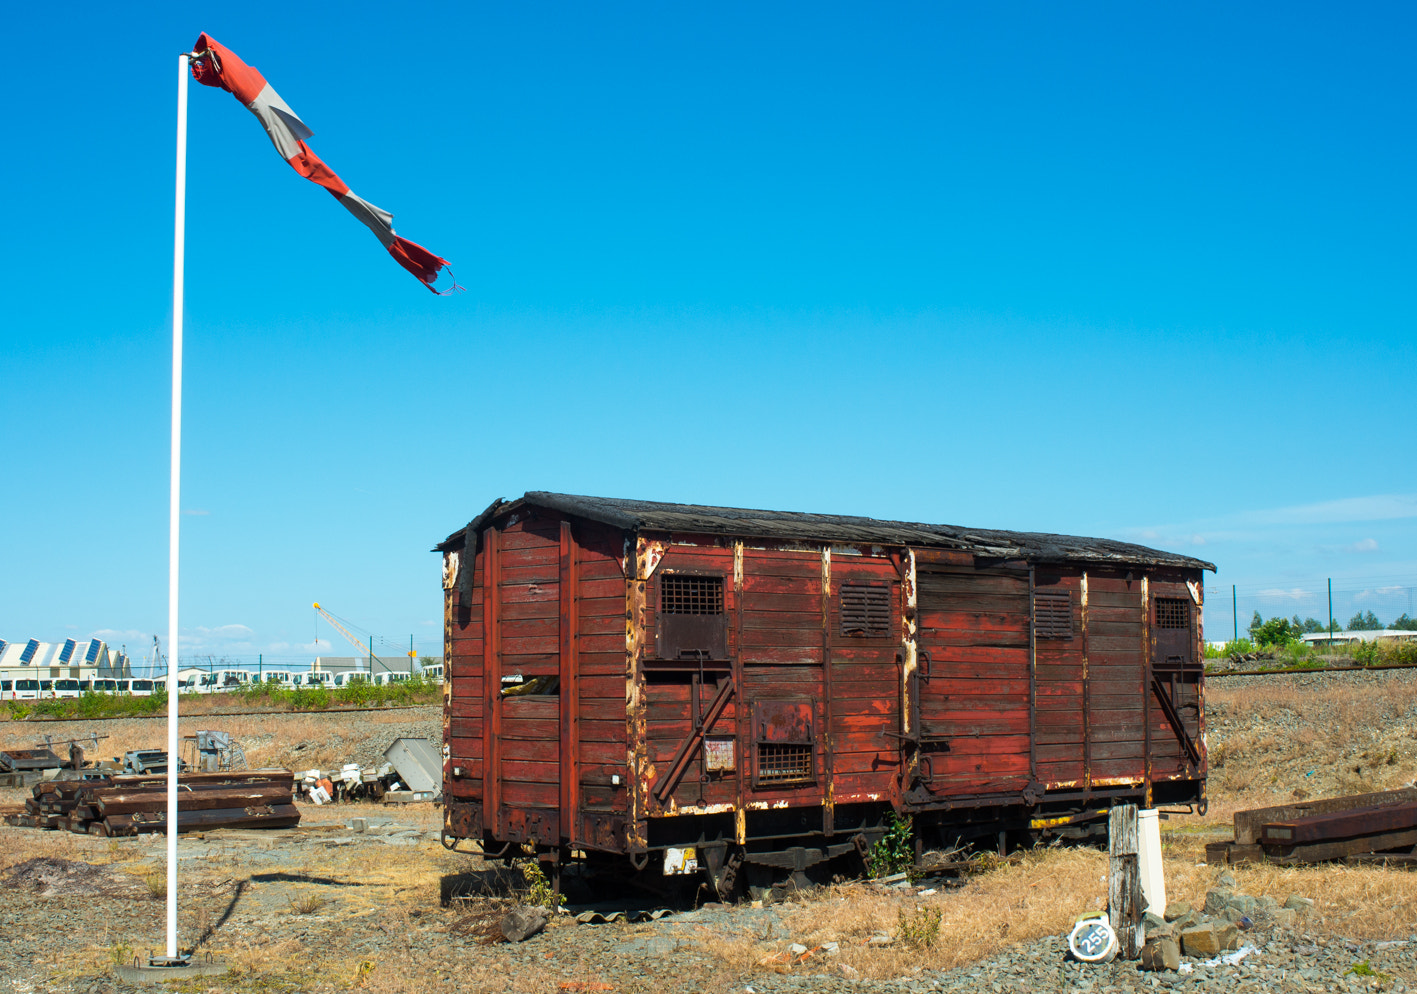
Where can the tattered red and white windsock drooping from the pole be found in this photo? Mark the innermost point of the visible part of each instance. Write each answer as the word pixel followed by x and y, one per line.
pixel 216 66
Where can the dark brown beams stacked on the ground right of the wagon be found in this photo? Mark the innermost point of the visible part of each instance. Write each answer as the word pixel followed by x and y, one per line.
pixel 1360 829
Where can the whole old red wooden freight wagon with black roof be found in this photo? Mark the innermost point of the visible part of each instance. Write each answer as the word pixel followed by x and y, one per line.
pixel 633 681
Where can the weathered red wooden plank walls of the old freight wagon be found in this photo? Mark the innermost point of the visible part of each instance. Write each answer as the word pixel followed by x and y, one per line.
pixel 990 711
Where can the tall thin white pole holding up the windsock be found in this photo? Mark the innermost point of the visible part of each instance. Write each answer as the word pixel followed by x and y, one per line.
pixel 175 508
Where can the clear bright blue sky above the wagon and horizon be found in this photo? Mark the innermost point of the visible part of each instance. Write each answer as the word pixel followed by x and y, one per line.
pixel 1130 272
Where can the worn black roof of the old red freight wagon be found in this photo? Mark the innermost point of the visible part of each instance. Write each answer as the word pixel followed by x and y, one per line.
pixel 745 523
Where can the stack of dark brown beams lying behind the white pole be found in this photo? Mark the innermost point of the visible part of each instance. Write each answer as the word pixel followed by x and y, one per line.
pixel 130 806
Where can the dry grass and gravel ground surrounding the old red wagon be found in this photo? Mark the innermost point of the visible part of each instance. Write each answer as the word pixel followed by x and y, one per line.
pixel 322 908
